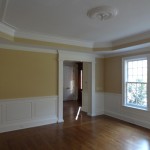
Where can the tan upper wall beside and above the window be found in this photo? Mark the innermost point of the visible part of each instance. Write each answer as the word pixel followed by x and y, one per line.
pixel 113 72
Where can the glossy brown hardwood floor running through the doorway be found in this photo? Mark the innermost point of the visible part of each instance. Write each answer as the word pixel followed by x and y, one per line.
pixel 86 133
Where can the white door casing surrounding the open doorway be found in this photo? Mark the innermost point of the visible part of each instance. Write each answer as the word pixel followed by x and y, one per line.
pixel 75 56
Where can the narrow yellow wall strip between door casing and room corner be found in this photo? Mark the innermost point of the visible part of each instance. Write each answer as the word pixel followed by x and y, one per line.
pixel 99 75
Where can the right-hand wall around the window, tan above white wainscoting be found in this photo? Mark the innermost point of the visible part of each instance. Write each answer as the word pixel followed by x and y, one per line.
pixel 113 94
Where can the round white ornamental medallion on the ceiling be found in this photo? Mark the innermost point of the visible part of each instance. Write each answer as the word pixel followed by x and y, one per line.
pixel 102 12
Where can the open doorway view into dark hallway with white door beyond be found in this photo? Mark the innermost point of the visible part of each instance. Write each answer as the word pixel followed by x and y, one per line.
pixel 72 89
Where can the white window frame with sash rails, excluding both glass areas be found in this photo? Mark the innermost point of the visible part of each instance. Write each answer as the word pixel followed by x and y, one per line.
pixel 125 61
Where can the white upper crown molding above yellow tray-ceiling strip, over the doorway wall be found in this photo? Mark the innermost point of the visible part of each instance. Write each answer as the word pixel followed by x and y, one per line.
pixel 12 31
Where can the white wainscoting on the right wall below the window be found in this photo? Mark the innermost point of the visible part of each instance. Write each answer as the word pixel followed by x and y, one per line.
pixel 113 107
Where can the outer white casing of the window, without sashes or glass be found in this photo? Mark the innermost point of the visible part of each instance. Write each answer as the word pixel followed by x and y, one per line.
pixel 124 79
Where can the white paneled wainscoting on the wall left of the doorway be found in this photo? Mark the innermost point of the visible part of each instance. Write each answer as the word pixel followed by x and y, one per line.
pixel 23 113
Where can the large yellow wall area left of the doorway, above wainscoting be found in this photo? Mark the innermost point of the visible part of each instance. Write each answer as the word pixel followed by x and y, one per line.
pixel 27 74
